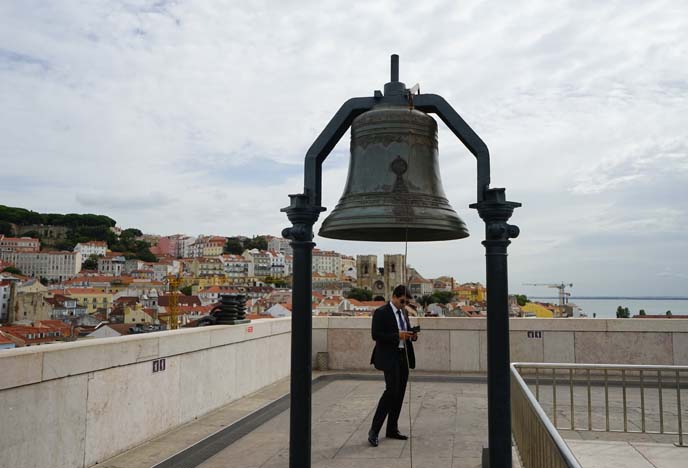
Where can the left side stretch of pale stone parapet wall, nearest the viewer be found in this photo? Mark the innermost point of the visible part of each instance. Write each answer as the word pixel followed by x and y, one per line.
pixel 77 404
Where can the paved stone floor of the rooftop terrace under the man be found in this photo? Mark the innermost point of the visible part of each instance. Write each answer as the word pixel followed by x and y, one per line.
pixel 449 430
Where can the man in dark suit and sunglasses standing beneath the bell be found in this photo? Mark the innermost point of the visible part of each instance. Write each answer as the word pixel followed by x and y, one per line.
pixel 393 354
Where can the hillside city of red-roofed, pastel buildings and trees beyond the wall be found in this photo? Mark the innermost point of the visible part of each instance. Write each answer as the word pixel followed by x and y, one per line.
pixel 74 276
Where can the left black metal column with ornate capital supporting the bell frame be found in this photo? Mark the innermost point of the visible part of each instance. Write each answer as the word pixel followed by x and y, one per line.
pixel 303 216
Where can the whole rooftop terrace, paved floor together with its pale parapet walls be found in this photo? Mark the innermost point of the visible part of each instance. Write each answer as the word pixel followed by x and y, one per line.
pixel 215 396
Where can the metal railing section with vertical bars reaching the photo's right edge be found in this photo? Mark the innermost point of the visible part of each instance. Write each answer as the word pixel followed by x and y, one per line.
pixel 586 388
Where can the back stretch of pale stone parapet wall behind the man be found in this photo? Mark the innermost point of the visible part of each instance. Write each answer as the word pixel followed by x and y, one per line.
pixel 460 344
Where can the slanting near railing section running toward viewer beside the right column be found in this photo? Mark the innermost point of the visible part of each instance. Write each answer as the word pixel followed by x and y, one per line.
pixel 538 441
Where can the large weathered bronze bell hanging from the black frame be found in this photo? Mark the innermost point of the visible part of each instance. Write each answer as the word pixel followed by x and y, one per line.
pixel 393 191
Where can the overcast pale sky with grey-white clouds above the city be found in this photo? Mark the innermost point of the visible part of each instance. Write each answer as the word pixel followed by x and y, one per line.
pixel 194 117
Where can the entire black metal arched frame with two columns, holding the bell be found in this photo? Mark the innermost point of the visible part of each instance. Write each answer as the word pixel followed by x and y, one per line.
pixel 492 207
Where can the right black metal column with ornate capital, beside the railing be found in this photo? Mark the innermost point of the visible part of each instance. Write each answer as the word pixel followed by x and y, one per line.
pixel 496 211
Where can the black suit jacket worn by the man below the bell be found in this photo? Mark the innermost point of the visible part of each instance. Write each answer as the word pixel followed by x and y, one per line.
pixel 385 331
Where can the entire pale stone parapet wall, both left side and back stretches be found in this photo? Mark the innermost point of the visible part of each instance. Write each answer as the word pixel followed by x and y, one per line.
pixel 77 404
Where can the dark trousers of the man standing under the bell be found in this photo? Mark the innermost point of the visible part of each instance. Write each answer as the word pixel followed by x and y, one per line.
pixel 392 398
